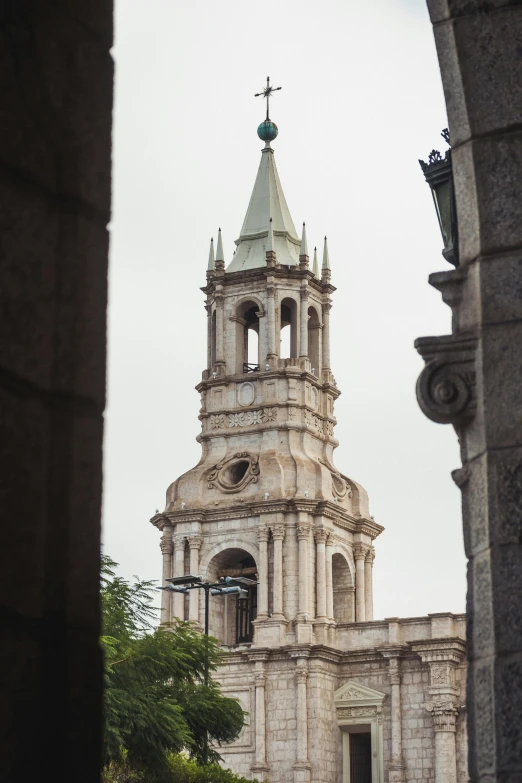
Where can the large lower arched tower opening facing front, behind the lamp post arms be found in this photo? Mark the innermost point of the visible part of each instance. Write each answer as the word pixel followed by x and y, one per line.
pixel 230 616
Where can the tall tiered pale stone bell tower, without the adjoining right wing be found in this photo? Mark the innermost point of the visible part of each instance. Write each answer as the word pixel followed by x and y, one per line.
pixel 266 500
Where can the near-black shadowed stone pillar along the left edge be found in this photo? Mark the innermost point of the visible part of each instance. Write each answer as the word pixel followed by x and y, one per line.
pixel 56 77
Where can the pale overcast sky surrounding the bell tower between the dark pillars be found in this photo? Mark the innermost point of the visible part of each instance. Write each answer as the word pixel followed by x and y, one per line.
pixel 361 102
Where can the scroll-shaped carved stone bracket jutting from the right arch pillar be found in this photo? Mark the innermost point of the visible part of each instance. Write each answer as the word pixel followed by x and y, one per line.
pixel 446 386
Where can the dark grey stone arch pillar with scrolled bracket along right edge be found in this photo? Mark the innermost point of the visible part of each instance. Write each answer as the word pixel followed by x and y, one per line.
pixel 473 377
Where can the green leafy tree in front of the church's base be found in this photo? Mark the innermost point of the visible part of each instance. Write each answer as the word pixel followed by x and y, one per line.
pixel 156 702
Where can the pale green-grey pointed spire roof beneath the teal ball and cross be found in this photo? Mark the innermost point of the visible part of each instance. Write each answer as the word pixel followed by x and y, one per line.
pixel 267 201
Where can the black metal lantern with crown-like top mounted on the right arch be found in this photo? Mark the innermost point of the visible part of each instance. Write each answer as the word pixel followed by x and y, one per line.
pixel 439 176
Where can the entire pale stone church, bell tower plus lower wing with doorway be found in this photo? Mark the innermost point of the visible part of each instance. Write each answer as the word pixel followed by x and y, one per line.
pixel 332 694
